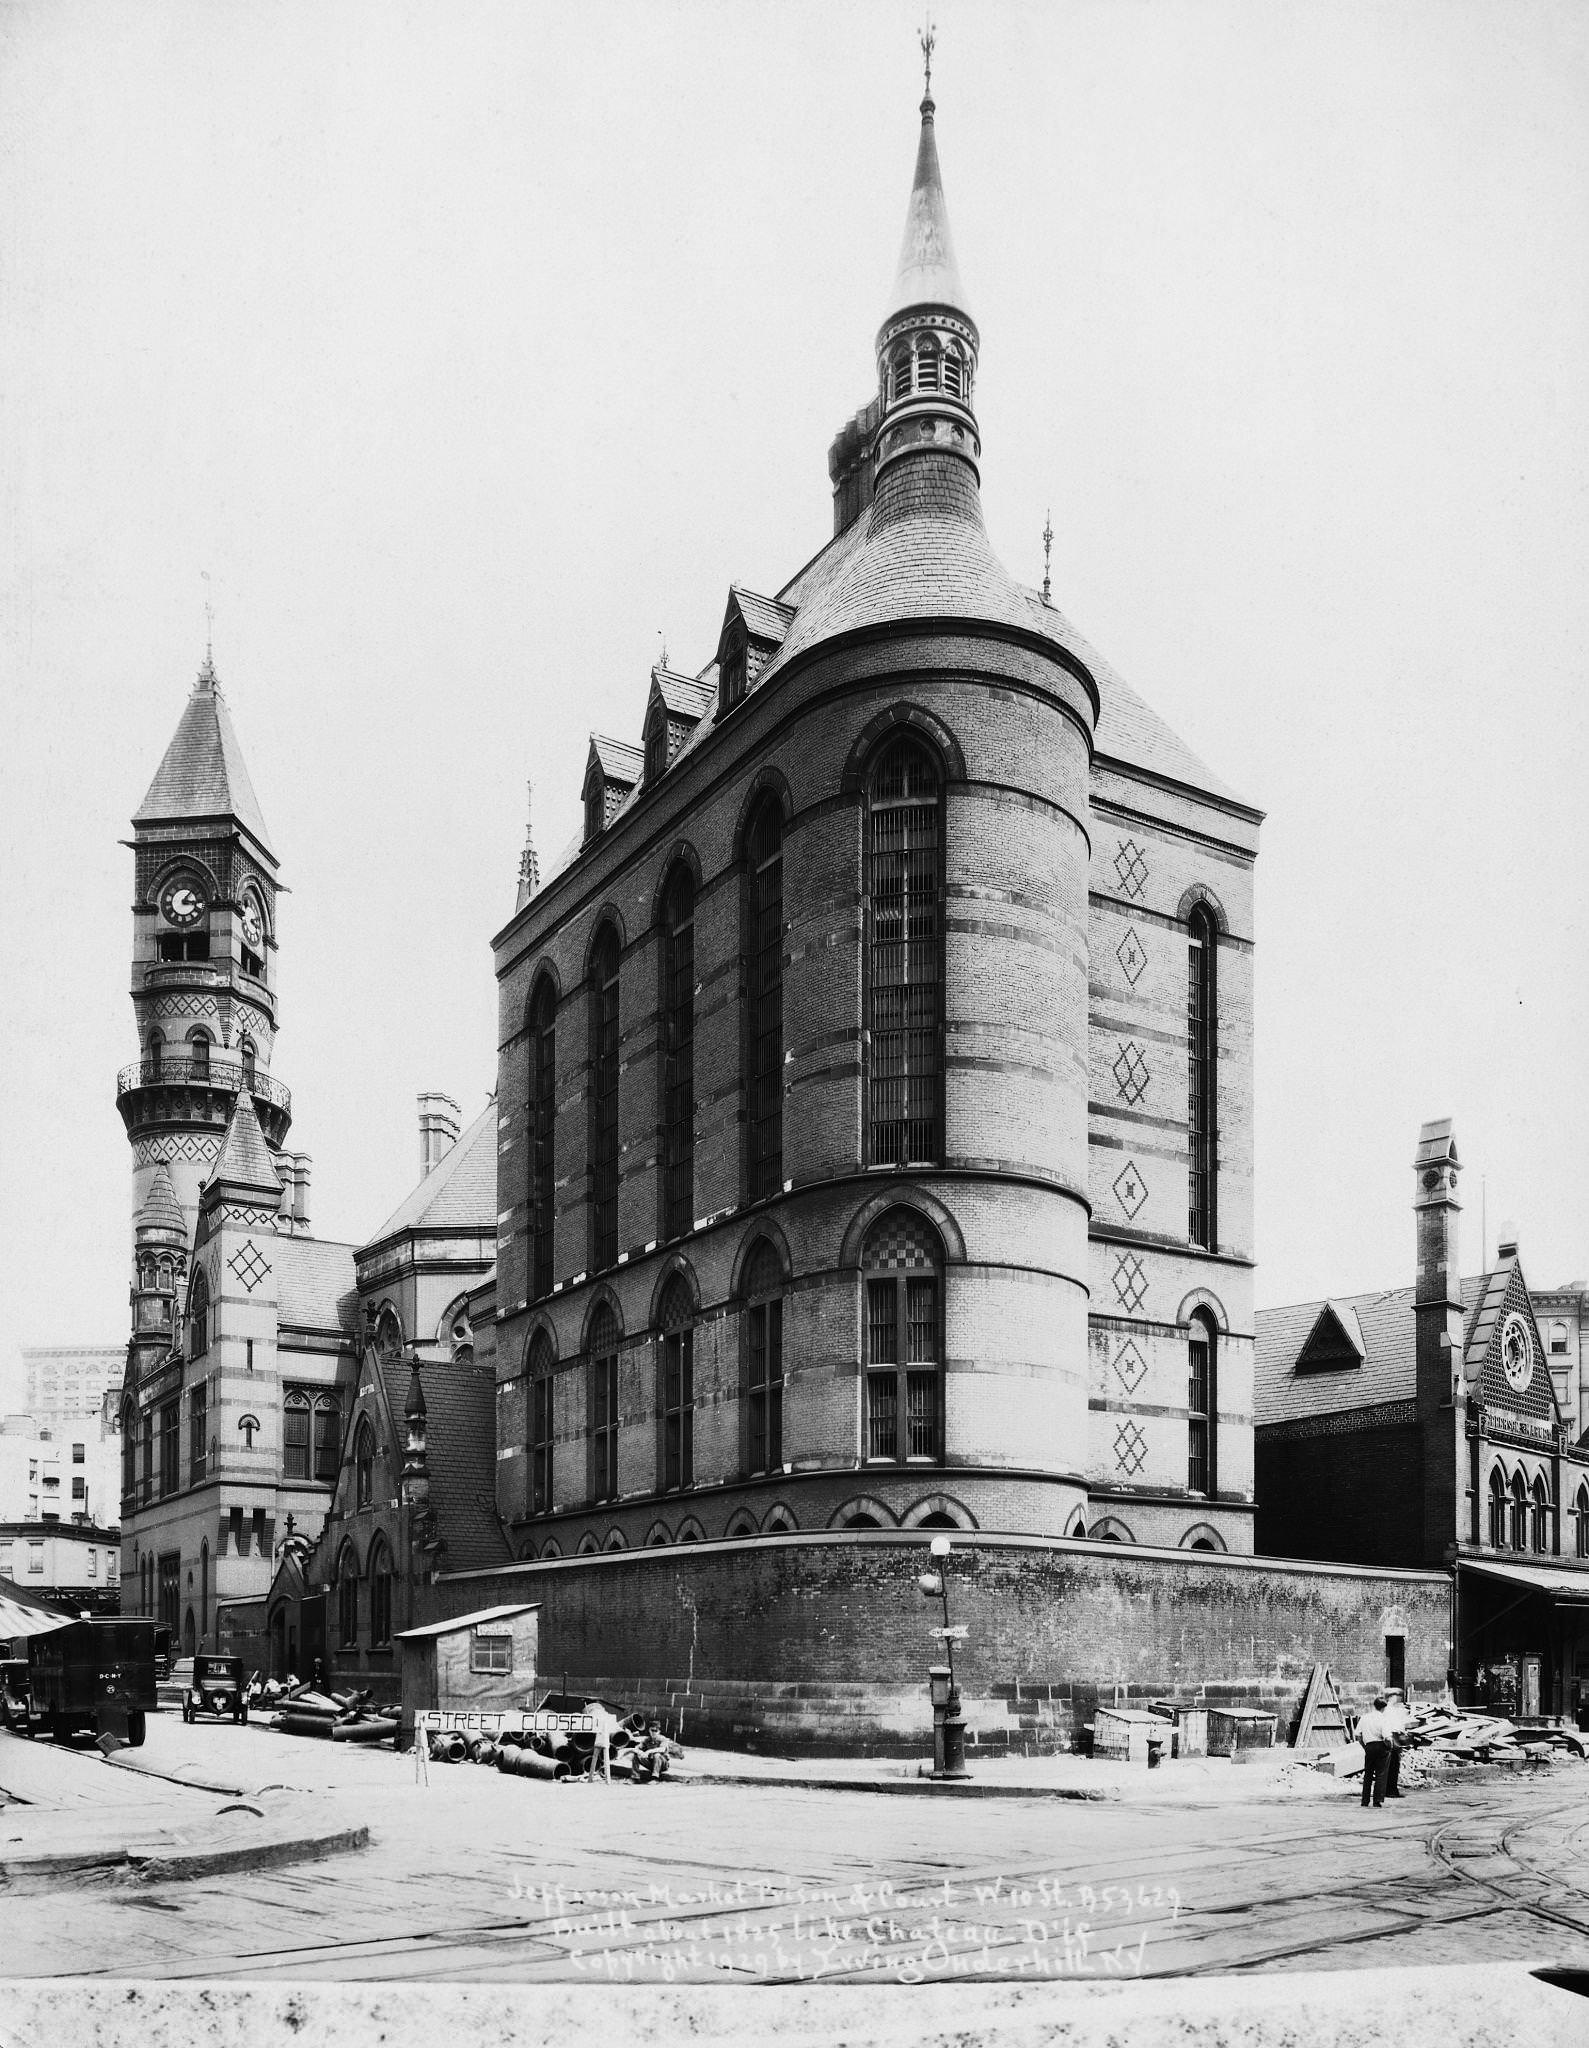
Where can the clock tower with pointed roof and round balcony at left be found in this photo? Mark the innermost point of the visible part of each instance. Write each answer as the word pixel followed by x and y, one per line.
pixel 204 959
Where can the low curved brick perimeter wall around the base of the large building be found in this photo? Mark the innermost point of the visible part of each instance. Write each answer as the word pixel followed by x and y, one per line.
pixel 822 1644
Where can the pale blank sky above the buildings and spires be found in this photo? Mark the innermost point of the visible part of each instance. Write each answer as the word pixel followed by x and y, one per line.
pixel 466 353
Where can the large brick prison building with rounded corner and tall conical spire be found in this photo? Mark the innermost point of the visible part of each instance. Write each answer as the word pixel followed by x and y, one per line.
pixel 875 1084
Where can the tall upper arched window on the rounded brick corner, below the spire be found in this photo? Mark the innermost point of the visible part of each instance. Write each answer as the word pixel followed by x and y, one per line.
pixel 904 957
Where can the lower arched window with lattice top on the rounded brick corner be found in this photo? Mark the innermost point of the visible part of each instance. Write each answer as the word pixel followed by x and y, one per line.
pixel 902 1269
